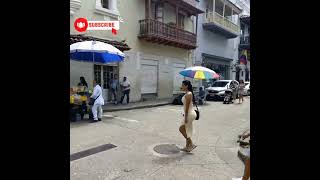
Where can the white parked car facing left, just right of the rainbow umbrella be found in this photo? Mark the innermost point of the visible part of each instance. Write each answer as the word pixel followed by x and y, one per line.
pixel 218 88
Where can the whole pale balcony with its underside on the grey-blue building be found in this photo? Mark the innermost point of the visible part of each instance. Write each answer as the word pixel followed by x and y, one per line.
pixel 219 24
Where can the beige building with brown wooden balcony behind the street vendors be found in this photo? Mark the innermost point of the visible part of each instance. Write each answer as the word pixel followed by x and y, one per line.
pixel 160 34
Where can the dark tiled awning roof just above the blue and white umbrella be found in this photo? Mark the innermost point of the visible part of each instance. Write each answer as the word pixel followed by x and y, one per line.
pixel 122 46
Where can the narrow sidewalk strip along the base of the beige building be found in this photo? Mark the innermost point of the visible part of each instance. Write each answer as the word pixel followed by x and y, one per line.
pixel 136 105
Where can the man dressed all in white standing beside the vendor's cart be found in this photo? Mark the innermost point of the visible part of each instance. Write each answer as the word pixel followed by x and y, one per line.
pixel 99 101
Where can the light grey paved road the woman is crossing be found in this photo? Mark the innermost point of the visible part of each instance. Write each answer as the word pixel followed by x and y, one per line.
pixel 136 132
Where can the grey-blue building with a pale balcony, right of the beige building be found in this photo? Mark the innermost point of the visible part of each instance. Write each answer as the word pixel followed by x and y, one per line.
pixel 218 36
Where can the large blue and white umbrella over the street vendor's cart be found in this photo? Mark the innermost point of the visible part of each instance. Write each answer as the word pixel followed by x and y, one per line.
pixel 95 51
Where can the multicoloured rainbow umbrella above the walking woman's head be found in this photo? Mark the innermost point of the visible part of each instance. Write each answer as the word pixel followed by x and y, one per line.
pixel 199 72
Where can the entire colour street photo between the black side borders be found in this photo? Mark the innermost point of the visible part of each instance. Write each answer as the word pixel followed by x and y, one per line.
pixel 160 89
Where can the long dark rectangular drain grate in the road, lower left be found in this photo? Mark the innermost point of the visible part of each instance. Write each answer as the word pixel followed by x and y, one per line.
pixel 91 151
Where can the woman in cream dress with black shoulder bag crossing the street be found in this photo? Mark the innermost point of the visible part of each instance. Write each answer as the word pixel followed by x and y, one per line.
pixel 189 115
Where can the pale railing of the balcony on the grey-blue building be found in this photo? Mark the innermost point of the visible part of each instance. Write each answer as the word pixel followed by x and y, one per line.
pixel 213 17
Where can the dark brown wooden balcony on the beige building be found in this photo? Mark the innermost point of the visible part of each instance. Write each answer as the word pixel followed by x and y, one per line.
pixel 161 33
